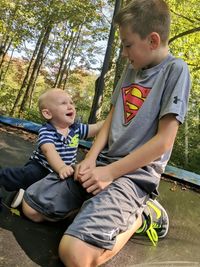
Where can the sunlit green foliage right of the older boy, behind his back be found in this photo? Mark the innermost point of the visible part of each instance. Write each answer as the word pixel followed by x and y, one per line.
pixel 185 43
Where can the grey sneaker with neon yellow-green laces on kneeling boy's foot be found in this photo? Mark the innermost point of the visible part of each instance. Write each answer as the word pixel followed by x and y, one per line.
pixel 156 223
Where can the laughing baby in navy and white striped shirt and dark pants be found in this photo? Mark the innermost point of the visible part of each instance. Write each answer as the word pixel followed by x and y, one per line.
pixel 58 141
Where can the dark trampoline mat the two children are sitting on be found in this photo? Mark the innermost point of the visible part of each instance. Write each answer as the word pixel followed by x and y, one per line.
pixel 26 244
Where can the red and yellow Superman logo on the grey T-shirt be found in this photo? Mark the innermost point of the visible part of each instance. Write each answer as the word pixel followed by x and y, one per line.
pixel 133 98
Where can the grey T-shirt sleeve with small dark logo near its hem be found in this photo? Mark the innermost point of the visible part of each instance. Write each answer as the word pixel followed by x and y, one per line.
pixel 176 94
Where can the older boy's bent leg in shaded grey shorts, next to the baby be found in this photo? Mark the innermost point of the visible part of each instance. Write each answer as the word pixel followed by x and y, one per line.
pixel 53 199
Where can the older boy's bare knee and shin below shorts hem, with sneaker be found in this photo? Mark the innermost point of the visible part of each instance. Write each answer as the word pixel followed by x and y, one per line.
pixel 93 256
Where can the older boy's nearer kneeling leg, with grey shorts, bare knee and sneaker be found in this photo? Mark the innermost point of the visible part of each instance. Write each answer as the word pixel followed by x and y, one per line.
pixel 91 233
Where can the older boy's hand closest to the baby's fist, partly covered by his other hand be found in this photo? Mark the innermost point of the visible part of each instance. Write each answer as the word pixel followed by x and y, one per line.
pixel 83 167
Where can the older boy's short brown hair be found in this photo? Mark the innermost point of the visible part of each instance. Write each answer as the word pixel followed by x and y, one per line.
pixel 146 16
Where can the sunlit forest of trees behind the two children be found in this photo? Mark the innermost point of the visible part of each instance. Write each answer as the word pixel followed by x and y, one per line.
pixel 73 45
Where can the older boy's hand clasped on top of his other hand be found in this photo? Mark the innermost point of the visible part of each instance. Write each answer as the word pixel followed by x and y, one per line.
pixel 96 180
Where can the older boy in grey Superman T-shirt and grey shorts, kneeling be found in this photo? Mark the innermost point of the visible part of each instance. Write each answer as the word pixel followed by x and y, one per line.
pixel 133 146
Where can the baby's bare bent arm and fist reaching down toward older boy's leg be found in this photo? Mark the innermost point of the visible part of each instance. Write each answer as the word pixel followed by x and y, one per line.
pixel 55 161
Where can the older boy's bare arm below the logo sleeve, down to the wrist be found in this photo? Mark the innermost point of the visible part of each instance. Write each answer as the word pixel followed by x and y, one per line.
pixel 161 143
